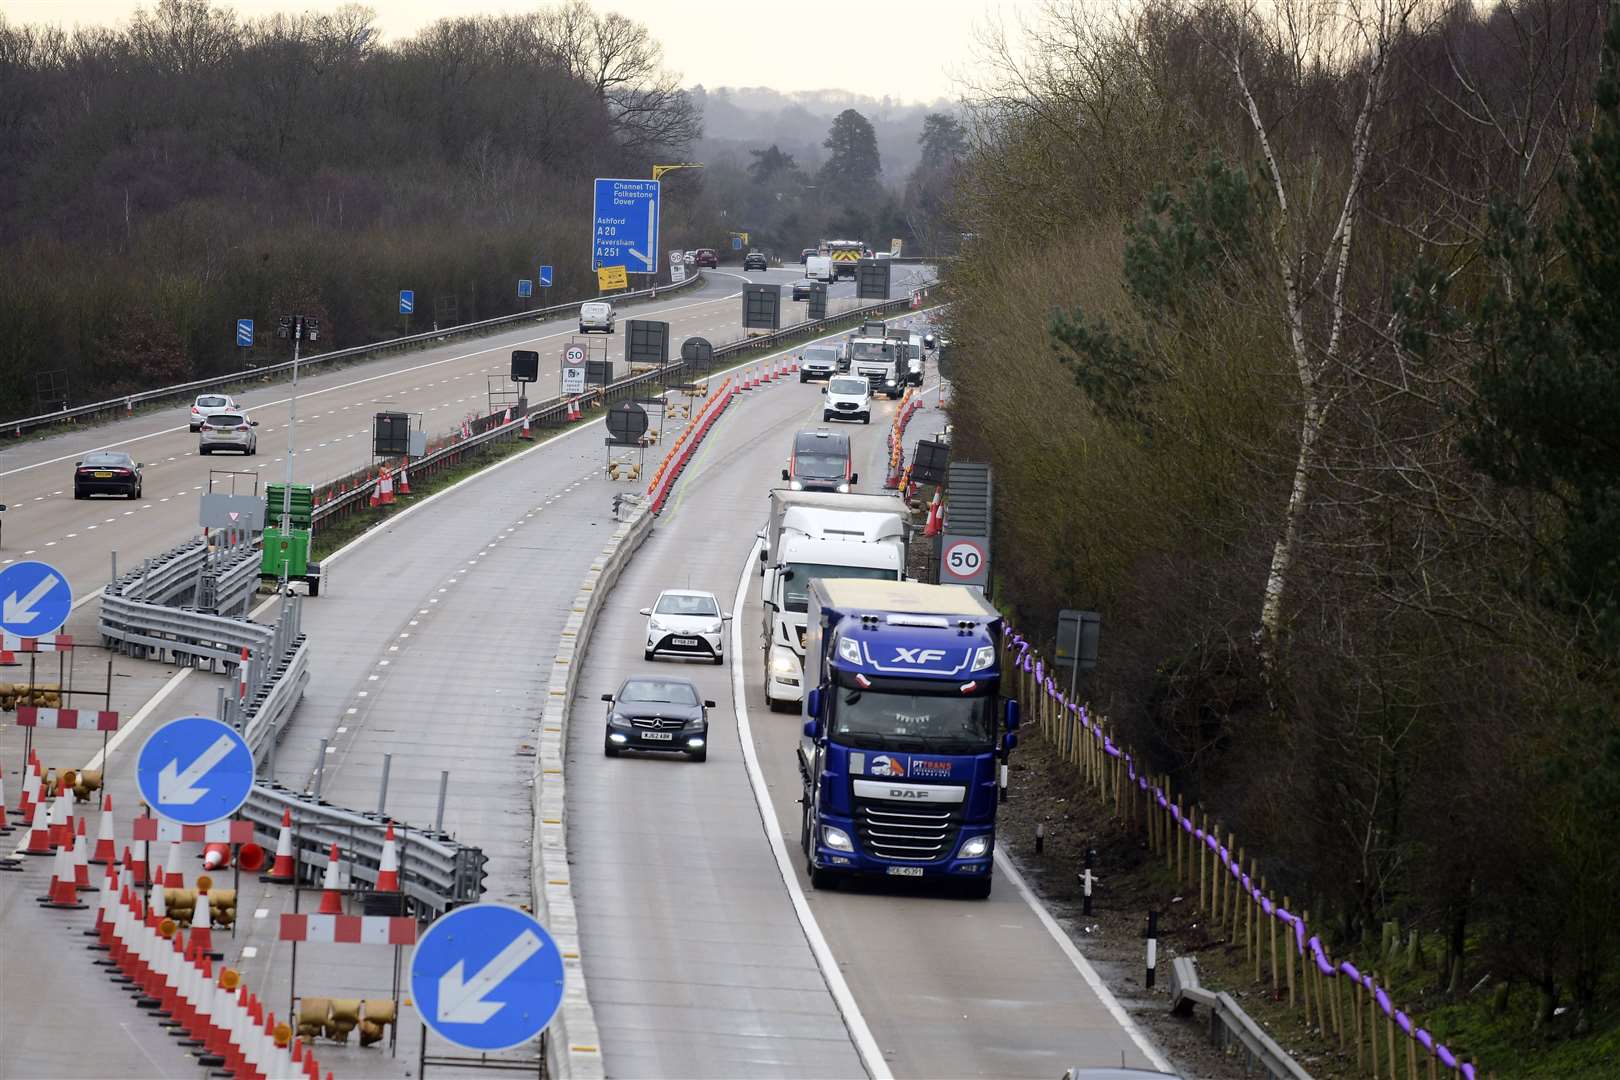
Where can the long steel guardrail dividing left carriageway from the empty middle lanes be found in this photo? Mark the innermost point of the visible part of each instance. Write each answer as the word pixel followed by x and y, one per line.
pixel 493 430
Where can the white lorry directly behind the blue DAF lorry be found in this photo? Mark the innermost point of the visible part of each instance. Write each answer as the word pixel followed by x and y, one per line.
pixel 819 535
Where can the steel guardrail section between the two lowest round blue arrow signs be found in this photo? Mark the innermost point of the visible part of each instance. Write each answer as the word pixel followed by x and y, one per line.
pixel 435 869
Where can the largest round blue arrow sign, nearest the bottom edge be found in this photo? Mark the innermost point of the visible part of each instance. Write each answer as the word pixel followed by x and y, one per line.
pixel 487 977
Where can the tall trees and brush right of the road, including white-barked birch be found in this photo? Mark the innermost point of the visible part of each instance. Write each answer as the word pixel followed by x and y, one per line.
pixel 1292 334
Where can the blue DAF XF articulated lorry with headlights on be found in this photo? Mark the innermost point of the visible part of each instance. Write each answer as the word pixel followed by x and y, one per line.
pixel 905 733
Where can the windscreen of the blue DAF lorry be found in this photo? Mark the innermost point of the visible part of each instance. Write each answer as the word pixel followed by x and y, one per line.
pixel 898 716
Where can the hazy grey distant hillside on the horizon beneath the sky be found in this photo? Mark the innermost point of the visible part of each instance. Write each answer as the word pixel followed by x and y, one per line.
pixel 752 117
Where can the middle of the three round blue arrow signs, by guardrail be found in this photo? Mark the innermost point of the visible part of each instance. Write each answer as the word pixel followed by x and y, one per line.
pixel 195 772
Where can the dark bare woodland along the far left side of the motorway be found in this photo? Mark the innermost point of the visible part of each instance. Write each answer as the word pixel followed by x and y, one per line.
pixel 192 168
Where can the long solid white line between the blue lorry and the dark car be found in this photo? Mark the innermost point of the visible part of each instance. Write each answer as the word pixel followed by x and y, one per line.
pixel 859 1034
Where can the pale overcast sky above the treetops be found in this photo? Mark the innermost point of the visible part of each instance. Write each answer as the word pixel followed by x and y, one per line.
pixel 905 49
